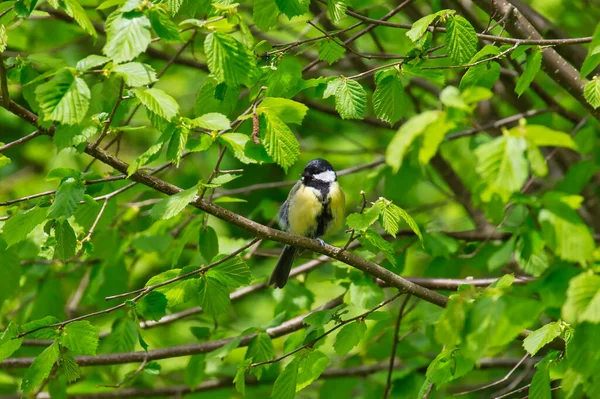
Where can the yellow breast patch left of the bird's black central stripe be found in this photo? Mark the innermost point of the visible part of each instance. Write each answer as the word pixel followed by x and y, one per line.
pixel 304 208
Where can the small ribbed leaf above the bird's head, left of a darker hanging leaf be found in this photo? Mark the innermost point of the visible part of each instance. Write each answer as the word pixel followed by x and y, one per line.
pixel 350 98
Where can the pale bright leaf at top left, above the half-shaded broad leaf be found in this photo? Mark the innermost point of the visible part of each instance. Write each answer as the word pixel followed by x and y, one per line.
pixel 127 35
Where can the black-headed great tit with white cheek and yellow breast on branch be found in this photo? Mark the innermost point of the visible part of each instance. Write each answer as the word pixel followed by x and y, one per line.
pixel 314 207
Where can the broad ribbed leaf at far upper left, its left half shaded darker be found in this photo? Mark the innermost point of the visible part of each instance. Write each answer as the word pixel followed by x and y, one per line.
pixel 65 98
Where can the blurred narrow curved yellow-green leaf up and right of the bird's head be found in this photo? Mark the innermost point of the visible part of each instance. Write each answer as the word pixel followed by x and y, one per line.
pixel 406 134
